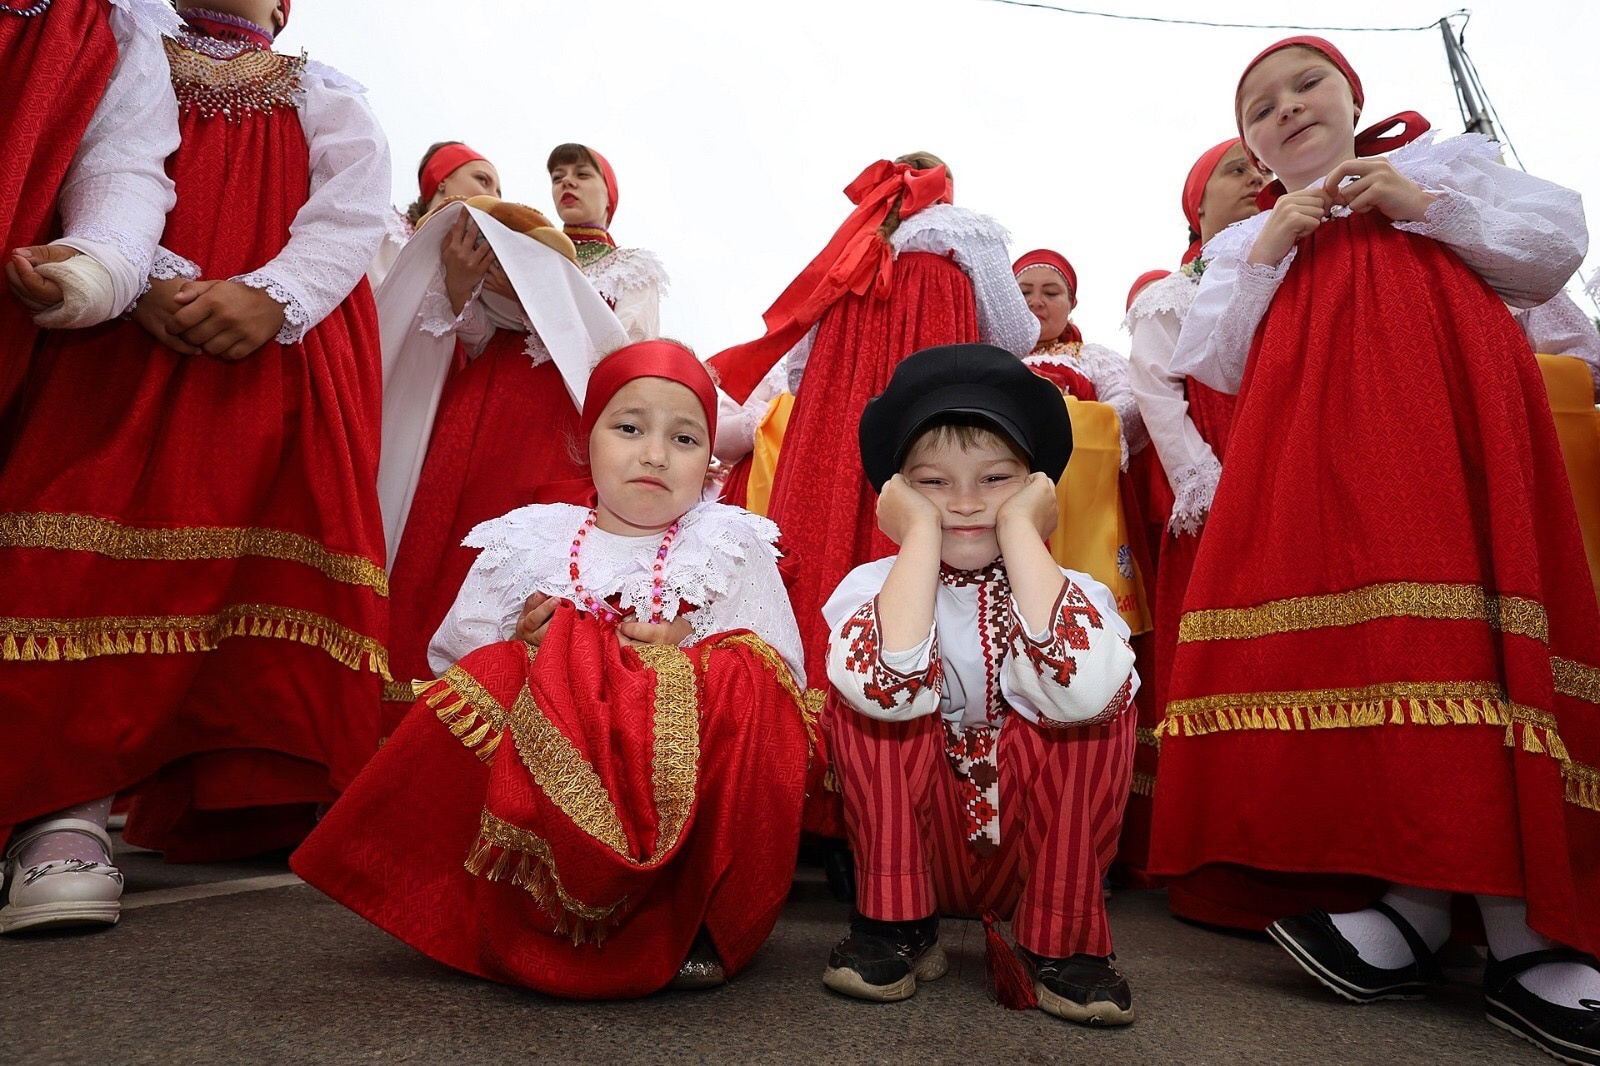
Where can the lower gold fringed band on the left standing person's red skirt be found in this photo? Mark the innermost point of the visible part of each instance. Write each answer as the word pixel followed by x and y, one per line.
pixel 76 639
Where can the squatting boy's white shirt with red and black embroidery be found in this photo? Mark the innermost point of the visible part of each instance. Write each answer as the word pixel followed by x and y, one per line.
pixel 980 660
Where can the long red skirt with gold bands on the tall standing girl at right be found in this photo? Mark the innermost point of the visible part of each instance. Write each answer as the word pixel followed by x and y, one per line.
pixel 1390 646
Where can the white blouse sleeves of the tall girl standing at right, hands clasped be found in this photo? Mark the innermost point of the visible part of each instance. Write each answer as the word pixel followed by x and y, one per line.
pixel 1521 234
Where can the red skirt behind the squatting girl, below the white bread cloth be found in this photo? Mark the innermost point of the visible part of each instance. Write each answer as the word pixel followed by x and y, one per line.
pixel 505 428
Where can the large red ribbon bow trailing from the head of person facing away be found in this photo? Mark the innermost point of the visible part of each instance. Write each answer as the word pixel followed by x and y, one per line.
pixel 855 262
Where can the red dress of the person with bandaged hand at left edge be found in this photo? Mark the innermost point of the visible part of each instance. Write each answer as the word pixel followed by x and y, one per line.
pixel 54 71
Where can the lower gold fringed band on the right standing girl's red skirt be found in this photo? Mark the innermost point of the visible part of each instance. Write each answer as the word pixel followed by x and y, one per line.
pixel 1468 703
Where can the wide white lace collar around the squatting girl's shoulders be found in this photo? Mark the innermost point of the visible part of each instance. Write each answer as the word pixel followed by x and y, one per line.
pixel 529 551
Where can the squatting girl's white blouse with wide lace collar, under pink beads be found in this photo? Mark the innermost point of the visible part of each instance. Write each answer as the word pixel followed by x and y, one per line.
pixel 724 563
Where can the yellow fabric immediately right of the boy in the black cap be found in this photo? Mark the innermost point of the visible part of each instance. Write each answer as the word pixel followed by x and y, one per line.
pixel 1094 532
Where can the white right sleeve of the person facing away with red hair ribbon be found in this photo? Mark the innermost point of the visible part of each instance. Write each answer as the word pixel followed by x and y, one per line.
pixel 980 247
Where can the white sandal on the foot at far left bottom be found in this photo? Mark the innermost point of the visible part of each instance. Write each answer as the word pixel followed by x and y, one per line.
pixel 65 892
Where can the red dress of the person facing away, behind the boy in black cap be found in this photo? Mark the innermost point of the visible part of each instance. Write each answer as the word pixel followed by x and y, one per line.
pixel 822 499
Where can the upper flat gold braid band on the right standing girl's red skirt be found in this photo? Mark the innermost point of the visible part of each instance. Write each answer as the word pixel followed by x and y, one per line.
pixel 1401 599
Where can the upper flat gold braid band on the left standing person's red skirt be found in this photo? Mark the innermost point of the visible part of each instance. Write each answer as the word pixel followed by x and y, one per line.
pixel 114 540
